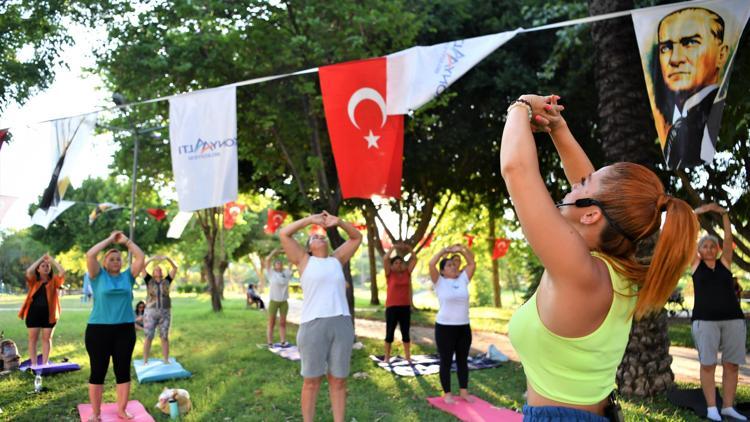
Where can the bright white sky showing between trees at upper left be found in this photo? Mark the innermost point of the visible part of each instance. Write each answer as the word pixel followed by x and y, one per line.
pixel 26 163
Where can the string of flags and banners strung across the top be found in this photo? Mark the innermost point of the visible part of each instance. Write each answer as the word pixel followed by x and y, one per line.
pixel 365 100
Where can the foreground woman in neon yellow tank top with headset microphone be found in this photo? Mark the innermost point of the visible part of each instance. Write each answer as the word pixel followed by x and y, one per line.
pixel 570 358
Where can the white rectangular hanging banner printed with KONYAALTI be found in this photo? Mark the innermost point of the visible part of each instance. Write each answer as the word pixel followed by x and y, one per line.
pixel 203 140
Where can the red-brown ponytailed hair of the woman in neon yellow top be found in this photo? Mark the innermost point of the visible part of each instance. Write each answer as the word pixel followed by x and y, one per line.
pixel 634 198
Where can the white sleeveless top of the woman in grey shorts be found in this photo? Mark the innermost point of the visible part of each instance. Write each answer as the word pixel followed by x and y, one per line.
pixel 323 289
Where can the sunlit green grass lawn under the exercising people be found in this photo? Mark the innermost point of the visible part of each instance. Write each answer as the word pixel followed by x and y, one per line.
pixel 235 380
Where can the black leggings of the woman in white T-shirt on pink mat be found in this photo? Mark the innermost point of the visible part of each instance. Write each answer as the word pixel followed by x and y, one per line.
pixel 452 339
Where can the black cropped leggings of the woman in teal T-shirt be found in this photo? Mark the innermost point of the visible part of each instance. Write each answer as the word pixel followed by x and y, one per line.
pixel 110 340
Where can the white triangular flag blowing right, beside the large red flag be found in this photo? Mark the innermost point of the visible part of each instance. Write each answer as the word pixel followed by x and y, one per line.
pixel 419 74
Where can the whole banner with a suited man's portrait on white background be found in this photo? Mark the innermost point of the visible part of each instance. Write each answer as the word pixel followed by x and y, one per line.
pixel 687 52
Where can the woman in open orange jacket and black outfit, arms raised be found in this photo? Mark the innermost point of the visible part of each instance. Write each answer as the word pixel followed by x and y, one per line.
pixel 41 309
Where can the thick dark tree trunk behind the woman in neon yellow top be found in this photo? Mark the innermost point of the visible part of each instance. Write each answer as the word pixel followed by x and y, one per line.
pixel 627 131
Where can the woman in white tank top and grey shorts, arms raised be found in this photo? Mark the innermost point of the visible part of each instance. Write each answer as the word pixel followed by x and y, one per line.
pixel 326 331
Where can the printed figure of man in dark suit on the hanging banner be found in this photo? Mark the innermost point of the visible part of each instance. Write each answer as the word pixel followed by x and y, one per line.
pixel 687 75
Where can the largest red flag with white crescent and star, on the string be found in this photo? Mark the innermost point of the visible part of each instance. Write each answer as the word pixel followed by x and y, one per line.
pixel 367 144
